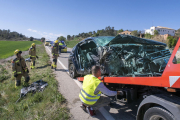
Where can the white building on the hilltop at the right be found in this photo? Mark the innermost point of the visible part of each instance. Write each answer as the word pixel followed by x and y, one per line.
pixel 161 30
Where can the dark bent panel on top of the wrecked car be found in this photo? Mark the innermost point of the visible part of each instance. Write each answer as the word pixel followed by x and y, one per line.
pixel 128 39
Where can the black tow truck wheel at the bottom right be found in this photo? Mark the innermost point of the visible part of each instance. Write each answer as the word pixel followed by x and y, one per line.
pixel 158 113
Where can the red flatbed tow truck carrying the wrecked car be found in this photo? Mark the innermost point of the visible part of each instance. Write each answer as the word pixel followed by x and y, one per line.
pixel 160 96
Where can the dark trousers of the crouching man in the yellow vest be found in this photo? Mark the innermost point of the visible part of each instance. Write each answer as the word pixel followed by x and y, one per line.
pixel 102 101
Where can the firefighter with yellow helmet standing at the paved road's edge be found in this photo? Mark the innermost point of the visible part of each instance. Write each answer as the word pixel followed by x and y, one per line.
pixel 55 54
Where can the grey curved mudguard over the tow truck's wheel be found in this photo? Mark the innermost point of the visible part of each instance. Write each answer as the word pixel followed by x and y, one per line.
pixel 169 102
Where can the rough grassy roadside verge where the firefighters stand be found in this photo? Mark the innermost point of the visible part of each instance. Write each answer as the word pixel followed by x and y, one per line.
pixel 46 105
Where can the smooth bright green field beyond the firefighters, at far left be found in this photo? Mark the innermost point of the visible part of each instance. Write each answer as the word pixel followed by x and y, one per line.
pixel 7 48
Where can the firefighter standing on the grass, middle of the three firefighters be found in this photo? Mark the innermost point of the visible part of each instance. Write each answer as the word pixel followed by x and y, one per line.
pixel 32 55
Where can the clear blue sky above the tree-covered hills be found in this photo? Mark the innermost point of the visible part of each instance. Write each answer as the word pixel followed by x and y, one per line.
pixel 54 18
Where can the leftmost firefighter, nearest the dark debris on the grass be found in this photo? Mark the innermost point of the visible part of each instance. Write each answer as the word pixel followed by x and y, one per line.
pixel 20 69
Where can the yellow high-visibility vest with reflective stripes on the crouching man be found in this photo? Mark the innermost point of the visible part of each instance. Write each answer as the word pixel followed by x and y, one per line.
pixel 87 95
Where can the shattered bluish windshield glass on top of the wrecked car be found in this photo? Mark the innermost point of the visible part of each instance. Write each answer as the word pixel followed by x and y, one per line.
pixel 103 40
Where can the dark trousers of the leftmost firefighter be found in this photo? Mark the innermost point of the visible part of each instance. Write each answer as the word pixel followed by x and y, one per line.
pixel 18 78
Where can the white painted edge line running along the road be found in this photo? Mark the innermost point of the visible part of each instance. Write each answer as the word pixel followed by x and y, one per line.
pixel 103 111
